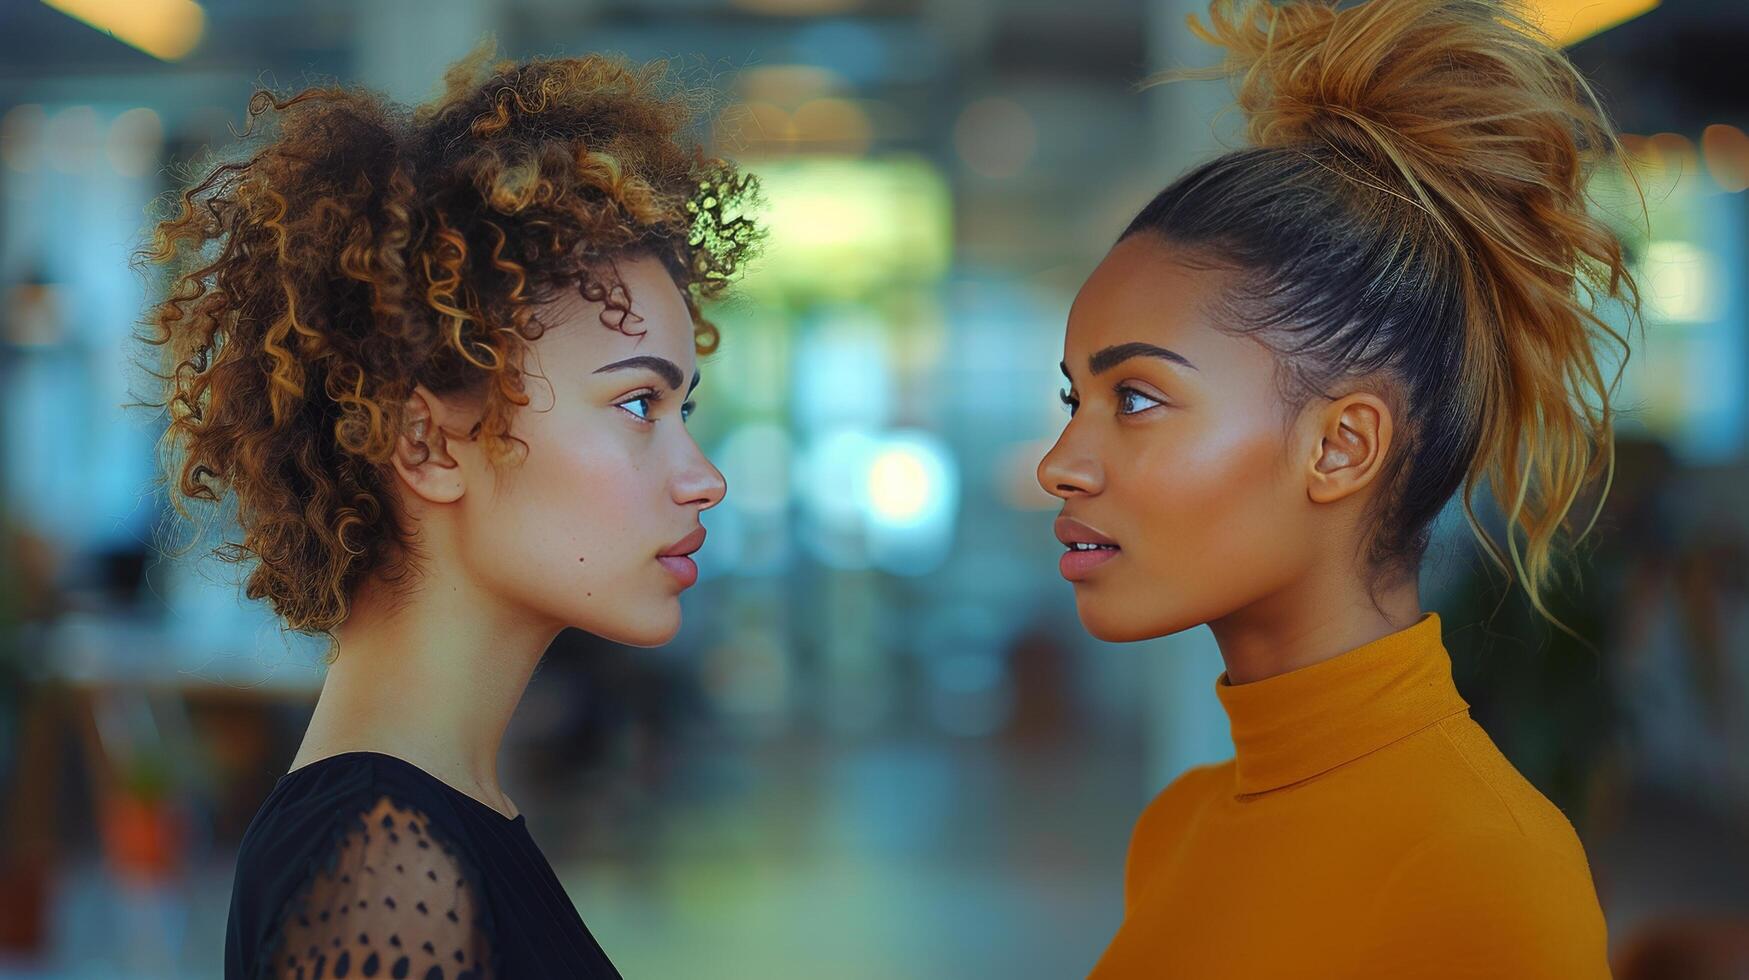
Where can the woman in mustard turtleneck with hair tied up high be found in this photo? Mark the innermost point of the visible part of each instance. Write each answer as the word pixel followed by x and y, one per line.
pixel 1290 363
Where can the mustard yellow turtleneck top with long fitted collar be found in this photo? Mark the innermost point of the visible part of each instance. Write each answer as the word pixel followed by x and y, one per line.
pixel 1367 827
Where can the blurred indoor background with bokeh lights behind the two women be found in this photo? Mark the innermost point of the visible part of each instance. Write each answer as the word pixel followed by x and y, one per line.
pixel 882 745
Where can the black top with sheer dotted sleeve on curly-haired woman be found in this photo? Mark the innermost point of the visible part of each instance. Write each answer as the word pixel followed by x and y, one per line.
pixel 366 865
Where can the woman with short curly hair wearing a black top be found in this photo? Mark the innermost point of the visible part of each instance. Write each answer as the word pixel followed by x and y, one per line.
pixel 442 361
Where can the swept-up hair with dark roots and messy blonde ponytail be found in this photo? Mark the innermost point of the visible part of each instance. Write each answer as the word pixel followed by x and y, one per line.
pixel 1412 207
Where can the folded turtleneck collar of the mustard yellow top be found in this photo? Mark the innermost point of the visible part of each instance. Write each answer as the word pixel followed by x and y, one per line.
pixel 1313 720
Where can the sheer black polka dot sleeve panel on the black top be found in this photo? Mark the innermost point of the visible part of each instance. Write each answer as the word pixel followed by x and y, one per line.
pixel 391 902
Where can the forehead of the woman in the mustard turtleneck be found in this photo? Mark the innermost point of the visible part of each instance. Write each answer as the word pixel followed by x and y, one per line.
pixel 1145 293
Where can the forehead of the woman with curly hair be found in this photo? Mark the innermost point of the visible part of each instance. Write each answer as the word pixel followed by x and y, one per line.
pixel 658 323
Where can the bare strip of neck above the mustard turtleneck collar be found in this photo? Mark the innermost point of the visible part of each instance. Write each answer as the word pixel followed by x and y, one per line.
pixel 1309 624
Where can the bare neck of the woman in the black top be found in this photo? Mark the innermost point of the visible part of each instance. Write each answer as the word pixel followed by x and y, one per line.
pixel 433 678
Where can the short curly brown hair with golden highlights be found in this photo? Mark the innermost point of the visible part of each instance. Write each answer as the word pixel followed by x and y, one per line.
pixel 361 249
